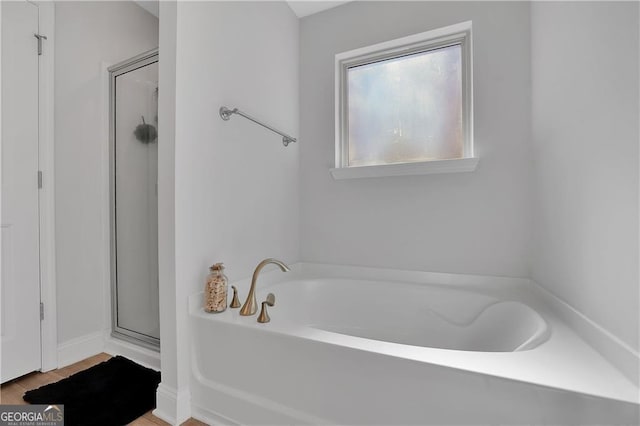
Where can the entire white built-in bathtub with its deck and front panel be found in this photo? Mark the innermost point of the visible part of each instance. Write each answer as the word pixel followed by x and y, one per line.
pixel 366 346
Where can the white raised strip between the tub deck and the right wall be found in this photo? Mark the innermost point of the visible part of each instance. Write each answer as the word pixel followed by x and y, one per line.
pixel 614 350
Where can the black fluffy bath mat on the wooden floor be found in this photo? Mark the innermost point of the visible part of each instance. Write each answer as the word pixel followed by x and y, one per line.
pixel 112 393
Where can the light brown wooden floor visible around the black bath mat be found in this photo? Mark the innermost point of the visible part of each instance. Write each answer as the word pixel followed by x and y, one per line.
pixel 11 392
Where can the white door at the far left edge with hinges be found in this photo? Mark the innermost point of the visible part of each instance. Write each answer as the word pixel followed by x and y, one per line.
pixel 20 288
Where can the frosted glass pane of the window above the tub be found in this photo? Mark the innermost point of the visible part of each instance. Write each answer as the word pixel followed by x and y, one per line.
pixel 406 109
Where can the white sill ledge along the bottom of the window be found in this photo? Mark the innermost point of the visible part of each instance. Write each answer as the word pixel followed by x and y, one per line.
pixel 457 165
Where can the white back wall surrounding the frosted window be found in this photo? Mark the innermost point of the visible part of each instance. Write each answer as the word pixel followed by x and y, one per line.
pixel 463 223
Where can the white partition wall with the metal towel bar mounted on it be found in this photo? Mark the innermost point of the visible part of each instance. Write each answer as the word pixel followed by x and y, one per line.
pixel 236 185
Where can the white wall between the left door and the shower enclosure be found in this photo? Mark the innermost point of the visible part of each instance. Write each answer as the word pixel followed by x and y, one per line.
pixel 88 34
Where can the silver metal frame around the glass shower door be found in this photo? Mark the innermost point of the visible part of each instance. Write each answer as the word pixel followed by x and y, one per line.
pixel 131 64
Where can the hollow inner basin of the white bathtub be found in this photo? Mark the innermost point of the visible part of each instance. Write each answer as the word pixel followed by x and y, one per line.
pixel 409 314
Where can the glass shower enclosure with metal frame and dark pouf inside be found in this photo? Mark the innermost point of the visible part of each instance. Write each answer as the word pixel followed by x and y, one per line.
pixel 134 199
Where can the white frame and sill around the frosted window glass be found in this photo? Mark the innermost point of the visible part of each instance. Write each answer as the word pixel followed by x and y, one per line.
pixel 458 34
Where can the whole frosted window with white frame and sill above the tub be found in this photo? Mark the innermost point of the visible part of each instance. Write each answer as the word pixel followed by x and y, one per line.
pixel 404 106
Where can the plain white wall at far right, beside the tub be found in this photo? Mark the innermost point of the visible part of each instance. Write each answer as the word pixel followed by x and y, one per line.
pixel 585 140
